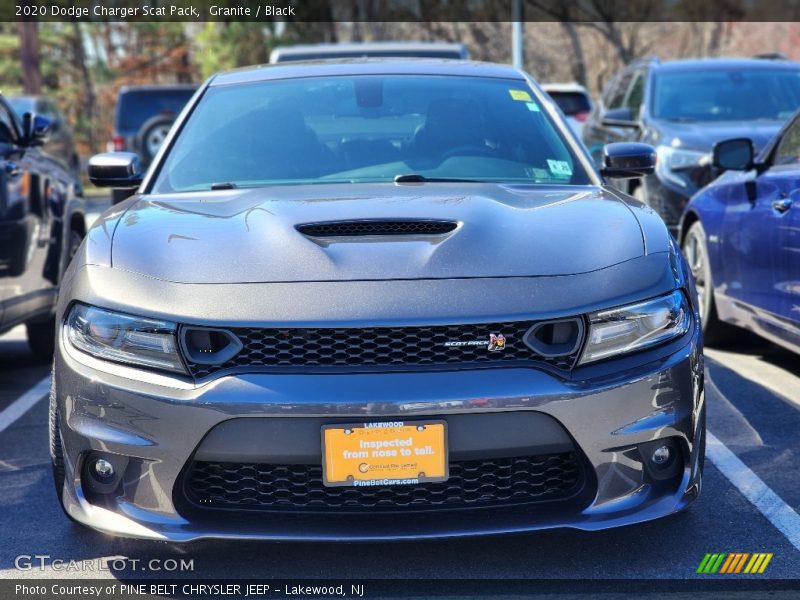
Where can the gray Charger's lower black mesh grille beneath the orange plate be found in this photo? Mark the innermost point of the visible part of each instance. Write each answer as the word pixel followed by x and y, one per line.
pixel 473 483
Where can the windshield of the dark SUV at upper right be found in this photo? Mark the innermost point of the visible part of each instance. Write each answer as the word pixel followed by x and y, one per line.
pixel 727 95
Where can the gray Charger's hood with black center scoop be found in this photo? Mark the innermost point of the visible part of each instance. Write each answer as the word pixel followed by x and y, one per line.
pixel 248 236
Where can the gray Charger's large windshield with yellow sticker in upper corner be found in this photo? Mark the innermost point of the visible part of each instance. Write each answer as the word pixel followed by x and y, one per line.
pixel 359 129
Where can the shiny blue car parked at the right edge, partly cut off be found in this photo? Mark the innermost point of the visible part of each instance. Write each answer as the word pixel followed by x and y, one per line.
pixel 741 237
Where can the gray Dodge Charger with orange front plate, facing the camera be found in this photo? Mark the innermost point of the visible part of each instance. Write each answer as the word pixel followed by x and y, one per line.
pixel 375 300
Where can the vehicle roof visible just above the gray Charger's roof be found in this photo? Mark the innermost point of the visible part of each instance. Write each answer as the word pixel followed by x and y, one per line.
pixel 373 49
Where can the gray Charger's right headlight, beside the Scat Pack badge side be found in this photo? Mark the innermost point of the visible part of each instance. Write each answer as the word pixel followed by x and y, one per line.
pixel 636 327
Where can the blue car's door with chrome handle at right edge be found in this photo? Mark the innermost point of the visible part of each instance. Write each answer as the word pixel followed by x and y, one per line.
pixel 761 236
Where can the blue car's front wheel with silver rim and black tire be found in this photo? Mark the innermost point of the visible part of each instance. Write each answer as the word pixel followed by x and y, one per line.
pixel 695 250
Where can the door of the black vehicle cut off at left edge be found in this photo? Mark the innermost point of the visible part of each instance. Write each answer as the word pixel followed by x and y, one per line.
pixel 25 226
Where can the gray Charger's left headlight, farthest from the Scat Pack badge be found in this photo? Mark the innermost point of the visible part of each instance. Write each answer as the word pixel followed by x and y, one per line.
pixel 124 338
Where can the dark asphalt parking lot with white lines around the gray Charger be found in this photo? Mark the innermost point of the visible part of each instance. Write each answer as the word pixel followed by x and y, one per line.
pixel 753 398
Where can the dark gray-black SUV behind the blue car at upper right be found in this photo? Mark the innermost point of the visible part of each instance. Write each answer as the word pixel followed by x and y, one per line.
pixel 683 108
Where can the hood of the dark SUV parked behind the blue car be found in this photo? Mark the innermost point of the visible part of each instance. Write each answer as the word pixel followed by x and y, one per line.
pixel 703 136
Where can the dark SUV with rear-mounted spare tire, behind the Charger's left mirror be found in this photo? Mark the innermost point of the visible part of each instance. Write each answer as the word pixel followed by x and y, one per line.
pixel 144 116
